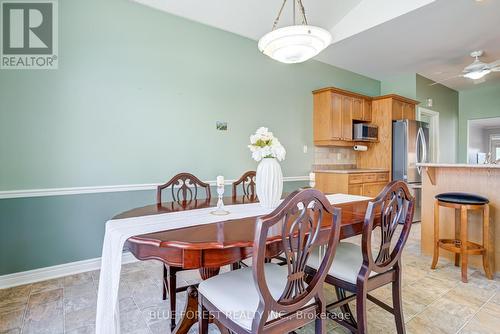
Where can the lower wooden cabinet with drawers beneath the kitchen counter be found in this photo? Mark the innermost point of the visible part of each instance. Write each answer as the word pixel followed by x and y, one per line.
pixel 363 184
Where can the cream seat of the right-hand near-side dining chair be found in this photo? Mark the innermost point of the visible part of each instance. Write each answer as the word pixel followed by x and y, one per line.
pixel 346 263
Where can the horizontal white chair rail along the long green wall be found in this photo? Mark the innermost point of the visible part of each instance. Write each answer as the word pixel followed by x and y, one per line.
pixel 105 189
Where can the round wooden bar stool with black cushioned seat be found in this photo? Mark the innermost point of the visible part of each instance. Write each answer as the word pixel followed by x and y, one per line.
pixel 460 245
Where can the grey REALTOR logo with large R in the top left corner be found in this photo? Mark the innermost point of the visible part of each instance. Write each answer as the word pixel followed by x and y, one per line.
pixel 29 35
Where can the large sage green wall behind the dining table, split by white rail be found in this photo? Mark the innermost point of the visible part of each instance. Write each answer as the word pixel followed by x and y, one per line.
pixel 135 100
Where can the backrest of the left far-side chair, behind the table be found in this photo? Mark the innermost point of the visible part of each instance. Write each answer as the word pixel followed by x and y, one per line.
pixel 183 187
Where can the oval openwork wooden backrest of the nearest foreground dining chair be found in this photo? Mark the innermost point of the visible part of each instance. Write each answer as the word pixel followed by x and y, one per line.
pixel 304 221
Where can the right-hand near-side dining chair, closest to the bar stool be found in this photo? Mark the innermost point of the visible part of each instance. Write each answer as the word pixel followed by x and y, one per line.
pixel 362 269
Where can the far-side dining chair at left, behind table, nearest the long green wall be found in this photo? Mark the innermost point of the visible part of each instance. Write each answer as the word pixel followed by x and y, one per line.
pixel 184 188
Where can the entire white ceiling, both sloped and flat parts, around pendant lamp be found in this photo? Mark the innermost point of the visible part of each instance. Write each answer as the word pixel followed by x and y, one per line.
pixel 377 38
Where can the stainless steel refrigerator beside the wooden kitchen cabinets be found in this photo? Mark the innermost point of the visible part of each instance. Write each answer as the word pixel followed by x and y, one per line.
pixel 410 145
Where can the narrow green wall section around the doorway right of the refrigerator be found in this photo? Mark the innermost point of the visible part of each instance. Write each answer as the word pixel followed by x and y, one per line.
pixel 445 101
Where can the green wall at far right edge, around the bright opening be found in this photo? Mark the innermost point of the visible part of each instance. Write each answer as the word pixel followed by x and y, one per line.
pixel 476 103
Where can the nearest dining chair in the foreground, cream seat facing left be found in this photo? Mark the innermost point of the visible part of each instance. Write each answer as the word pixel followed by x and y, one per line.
pixel 267 297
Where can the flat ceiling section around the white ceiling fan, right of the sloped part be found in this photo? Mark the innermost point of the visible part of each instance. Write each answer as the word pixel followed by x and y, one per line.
pixel 434 41
